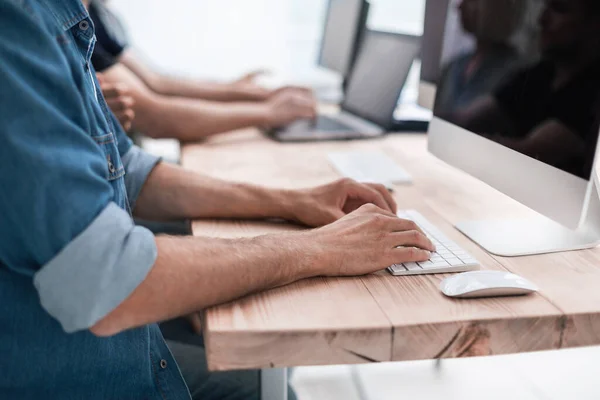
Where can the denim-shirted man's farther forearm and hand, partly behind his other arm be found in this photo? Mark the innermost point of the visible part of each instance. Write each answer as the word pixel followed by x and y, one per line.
pixel 173 193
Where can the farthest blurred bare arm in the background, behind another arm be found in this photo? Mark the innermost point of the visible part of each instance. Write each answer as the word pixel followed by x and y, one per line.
pixel 242 90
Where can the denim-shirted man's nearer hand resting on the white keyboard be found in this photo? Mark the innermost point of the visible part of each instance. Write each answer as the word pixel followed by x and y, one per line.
pixel 365 241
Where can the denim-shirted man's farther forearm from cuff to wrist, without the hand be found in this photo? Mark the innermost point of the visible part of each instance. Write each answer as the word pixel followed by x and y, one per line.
pixel 172 192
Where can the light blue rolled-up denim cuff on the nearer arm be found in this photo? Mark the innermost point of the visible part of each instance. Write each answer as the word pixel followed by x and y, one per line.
pixel 97 270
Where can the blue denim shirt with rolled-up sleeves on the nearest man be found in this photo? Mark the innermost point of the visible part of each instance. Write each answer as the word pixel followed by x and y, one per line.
pixel 69 250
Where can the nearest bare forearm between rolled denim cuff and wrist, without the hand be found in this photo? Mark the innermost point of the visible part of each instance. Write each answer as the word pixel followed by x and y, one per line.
pixel 191 274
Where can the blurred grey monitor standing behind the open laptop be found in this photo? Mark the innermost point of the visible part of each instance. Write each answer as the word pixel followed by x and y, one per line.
pixel 345 26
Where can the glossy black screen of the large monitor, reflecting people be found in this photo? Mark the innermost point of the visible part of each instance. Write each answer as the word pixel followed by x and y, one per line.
pixel 525 74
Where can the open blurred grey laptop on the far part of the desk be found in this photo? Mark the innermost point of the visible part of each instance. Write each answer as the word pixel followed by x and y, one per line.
pixel 374 86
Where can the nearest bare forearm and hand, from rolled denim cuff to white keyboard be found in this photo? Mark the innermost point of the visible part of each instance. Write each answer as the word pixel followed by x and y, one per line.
pixel 196 273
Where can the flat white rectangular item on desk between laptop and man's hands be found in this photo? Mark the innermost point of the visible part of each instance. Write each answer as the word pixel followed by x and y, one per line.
pixel 369 166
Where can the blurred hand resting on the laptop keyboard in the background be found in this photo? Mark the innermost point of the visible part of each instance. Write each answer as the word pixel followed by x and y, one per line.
pixel 289 104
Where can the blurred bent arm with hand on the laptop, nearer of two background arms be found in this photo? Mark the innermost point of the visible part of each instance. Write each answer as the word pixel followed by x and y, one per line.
pixel 188 119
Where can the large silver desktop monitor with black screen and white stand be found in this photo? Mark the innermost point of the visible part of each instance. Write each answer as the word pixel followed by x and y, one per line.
pixel 522 113
